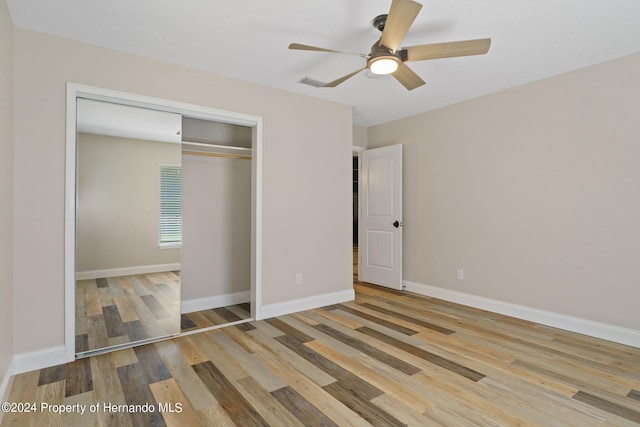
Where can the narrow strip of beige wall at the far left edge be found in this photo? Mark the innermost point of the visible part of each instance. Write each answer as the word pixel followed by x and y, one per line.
pixel 6 190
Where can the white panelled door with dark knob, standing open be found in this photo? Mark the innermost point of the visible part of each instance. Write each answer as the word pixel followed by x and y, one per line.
pixel 380 219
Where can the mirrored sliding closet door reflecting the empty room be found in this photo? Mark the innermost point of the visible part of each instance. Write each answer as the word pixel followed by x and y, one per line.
pixel 128 225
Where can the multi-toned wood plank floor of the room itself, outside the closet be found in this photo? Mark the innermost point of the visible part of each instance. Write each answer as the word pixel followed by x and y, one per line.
pixel 389 358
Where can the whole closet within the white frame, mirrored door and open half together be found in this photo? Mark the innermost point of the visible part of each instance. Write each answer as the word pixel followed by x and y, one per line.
pixel 163 225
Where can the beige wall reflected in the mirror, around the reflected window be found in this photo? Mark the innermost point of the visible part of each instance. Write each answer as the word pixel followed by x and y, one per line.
pixel 118 210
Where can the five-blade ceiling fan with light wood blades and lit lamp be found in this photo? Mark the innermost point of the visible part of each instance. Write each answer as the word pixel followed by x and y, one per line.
pixel 386 57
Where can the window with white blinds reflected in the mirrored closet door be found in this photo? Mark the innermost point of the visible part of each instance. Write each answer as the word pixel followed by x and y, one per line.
pixel 170 205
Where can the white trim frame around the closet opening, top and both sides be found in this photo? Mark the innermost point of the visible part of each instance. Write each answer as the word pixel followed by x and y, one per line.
pixel 75 91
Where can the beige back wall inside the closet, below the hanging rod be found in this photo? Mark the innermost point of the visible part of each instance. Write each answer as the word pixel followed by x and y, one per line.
pixel 216 247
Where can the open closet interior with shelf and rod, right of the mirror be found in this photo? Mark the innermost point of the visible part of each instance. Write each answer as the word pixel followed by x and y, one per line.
pixel 216 249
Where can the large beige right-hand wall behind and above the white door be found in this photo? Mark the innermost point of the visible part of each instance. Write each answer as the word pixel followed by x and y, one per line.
pixel 532 191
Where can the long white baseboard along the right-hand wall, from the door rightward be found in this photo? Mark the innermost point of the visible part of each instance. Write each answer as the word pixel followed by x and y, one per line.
pixel 574 324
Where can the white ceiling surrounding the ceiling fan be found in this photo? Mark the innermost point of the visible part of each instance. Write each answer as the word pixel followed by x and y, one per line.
pixel 248 39
